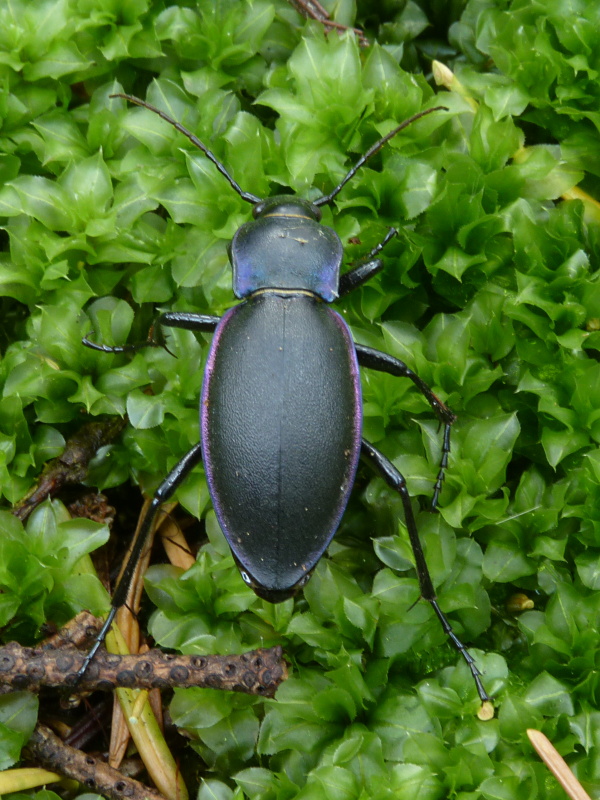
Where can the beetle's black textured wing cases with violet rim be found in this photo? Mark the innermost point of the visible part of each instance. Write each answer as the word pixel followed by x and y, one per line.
pixel 281 423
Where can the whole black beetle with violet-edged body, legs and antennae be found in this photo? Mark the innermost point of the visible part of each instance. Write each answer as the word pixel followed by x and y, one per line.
pixel 281 408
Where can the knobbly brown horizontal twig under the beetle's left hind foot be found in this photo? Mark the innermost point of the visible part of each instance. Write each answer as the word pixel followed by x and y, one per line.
pixel 25 668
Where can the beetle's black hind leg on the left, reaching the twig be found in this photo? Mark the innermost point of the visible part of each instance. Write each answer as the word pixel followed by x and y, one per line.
pixel 162 494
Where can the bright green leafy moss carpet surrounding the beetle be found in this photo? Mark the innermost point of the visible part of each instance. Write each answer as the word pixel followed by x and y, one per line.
pixel 490 293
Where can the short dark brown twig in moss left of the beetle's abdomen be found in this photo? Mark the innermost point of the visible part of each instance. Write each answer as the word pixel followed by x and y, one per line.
pixel 72 465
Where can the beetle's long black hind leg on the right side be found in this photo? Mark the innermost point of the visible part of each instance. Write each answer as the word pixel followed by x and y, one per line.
pixel 396 481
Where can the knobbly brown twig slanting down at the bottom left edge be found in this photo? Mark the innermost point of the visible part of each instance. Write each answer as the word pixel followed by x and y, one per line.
pixel 48 749
